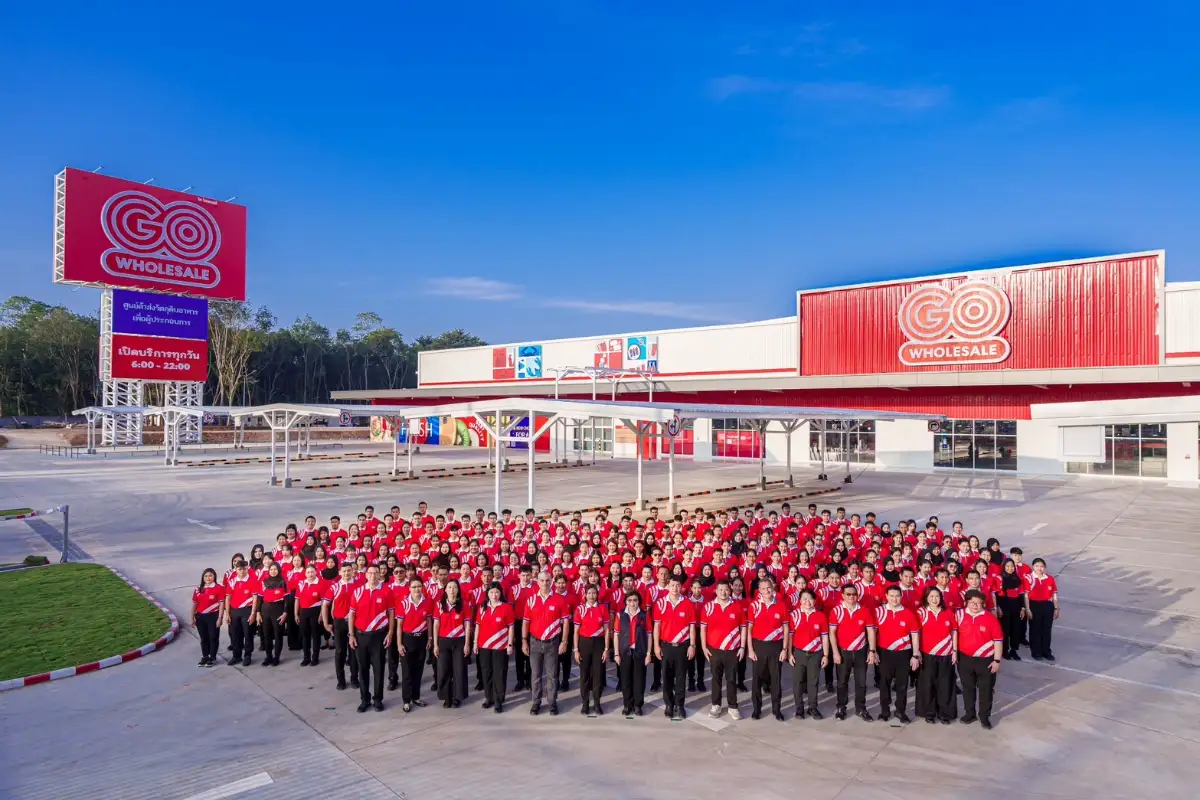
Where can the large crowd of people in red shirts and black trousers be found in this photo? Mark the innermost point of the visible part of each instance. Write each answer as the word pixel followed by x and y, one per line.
pixel 763 594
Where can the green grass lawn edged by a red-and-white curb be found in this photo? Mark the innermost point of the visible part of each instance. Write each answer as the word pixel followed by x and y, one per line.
pixel 69 615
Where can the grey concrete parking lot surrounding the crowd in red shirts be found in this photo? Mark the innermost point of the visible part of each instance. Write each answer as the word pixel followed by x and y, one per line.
pixel 1119 717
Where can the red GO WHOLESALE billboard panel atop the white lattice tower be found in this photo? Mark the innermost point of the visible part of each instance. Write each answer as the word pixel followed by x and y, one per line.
pixel 117 233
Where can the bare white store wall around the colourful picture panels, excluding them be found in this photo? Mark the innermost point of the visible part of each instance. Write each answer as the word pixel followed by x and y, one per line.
pixel 694 352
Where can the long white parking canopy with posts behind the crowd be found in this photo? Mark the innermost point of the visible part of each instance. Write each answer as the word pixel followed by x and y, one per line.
pixel 664 420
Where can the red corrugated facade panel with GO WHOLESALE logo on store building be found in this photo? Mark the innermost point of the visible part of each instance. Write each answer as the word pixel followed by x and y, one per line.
pixel 1093 314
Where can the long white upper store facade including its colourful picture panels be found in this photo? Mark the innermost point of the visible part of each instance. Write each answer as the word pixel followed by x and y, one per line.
pixel 767 347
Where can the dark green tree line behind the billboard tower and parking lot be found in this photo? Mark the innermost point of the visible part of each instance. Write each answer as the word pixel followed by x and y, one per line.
pixel 50 358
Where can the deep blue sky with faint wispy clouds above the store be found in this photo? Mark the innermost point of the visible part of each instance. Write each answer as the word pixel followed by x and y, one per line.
pixel 541 169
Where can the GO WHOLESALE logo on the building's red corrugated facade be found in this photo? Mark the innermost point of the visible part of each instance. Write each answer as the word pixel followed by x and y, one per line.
pixel 955 327
